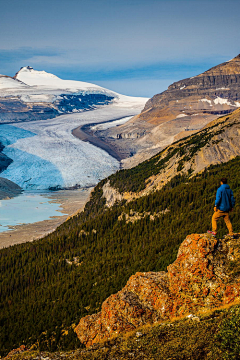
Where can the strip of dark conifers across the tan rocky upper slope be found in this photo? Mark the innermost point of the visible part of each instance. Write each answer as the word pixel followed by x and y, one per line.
pixel 135 179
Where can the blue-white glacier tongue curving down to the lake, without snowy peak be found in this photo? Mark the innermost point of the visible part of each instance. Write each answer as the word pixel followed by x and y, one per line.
pixel 46 155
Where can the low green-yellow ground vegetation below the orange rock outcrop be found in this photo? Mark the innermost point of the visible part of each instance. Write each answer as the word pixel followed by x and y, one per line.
pixel 214 335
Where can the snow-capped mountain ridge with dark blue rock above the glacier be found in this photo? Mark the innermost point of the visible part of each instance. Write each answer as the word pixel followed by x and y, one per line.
pixel 38 95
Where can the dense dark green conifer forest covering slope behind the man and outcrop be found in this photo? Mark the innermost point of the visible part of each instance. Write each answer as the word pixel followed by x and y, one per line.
pixel 47 285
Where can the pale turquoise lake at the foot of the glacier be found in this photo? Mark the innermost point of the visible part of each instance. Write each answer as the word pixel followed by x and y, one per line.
pixel 27 208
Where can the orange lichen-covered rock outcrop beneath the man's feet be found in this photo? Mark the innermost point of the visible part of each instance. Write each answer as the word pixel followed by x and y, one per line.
pixel 205 275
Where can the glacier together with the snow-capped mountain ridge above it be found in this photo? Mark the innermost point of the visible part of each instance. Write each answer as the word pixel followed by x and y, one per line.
pixel 45 154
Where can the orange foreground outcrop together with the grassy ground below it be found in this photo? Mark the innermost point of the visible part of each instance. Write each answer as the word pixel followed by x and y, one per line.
pixel 198 333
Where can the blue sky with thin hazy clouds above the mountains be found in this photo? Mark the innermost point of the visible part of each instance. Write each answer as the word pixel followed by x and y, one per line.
pixel 135 47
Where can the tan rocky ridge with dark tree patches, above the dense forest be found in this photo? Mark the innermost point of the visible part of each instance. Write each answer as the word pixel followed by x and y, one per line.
pixel 216 143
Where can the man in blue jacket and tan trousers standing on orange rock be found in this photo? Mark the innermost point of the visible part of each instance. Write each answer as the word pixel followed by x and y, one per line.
pixel 224 203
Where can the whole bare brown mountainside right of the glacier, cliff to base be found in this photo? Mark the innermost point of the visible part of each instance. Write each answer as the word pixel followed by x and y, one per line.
pixel 184 108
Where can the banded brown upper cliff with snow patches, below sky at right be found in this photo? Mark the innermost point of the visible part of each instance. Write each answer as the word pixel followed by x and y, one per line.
pixel 220 84
